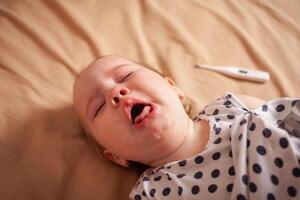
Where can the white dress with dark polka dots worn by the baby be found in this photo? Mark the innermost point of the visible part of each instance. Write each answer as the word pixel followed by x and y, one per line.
pixel 251 154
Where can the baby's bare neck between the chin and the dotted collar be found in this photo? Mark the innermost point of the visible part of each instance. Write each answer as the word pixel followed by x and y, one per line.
pixel 193 144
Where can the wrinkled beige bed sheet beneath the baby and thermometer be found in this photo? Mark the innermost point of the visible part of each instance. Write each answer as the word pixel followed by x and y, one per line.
pixel 45 44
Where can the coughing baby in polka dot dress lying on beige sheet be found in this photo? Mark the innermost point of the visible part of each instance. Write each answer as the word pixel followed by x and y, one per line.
pixel 237 147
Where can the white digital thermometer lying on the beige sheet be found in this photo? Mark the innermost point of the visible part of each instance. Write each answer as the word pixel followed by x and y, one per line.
pixel 237 72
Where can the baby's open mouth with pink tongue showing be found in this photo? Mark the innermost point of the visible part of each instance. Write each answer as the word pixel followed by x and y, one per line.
pixel 139 112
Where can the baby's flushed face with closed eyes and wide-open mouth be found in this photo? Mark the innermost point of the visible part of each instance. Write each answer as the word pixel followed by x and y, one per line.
pixel 130 110
